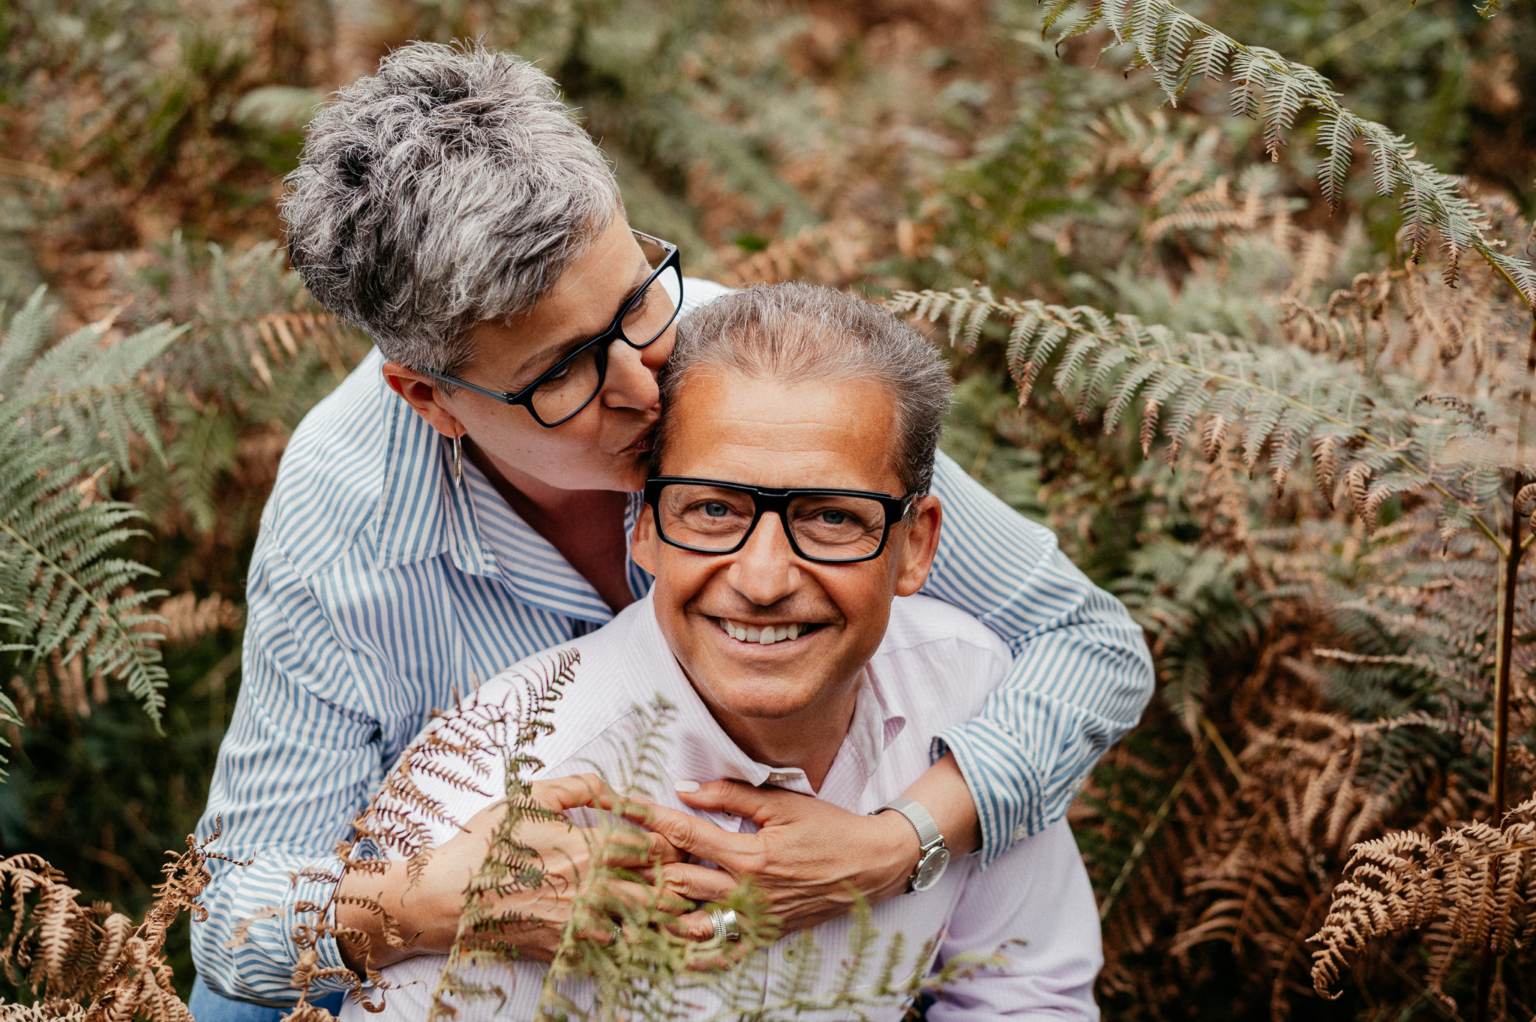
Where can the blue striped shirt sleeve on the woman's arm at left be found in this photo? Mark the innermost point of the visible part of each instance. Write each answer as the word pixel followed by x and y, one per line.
pixel 293 772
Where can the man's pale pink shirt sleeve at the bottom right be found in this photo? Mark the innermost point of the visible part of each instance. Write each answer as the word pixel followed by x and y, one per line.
pixel 1036 909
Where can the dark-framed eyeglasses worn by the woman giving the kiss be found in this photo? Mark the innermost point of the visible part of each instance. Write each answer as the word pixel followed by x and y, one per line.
pixel 572 383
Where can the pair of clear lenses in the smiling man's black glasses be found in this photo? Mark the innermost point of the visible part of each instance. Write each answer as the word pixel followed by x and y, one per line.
pixel 824 526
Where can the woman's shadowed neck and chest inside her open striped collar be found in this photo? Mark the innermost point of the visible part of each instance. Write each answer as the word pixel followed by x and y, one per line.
pixel 586 526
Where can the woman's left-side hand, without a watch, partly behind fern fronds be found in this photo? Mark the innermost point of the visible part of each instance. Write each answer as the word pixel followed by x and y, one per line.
pixel 428 912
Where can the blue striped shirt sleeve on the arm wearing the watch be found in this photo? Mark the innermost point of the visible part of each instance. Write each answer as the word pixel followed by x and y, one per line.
pixel 1082 671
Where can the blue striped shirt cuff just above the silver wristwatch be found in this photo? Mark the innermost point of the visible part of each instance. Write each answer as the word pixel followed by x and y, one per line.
pixel 1005 786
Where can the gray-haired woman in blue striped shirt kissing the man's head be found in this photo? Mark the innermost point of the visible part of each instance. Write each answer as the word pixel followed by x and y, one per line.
pixel 465 500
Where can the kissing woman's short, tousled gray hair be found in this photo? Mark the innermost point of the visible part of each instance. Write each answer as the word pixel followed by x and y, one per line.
pixel 448 190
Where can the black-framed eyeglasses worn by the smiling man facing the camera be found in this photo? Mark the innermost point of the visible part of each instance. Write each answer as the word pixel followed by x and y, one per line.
pixel 826 526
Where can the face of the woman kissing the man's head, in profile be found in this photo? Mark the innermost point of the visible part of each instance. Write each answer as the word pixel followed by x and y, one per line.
pixel 607 445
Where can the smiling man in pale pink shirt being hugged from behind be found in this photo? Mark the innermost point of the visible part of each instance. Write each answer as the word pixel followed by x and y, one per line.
pixel 789 509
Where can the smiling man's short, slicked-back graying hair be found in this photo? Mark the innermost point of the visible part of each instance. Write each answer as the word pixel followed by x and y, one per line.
pixel 795 333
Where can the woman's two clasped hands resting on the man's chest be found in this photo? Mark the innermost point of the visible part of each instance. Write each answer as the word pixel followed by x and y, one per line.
pixel 807 860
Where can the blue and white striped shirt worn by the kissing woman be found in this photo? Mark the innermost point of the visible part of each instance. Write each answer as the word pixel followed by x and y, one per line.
pixel 379 589
